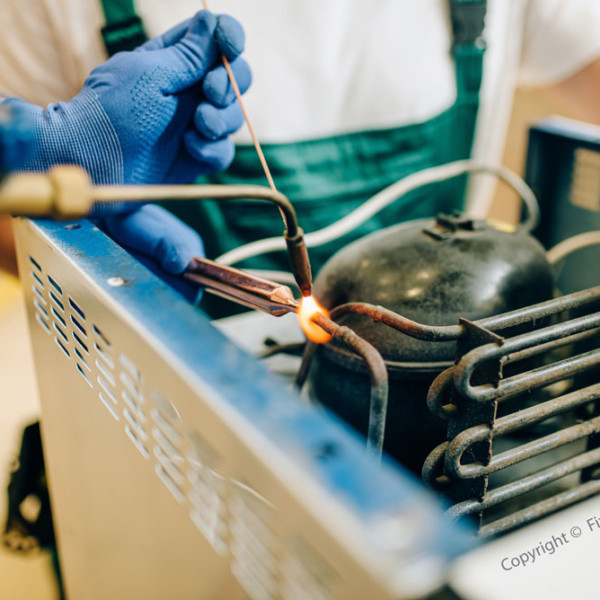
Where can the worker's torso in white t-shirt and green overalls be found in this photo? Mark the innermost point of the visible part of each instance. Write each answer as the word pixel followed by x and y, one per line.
pixel 349 96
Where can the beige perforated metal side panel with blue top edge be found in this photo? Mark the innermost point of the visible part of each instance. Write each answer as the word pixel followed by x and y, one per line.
pixel 180 468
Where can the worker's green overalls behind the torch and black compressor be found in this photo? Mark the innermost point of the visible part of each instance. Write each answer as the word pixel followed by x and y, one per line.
pixel 327 178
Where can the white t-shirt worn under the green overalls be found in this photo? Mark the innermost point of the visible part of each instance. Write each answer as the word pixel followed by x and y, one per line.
pixel 323 67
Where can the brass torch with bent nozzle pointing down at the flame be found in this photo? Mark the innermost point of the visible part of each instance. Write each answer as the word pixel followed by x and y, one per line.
pixel 66 192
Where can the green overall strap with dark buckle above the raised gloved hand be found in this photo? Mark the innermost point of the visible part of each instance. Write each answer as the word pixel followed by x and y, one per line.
pixel 124 30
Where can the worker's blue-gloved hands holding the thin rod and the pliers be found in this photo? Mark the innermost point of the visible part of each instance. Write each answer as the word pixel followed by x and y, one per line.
pixel 162 114
